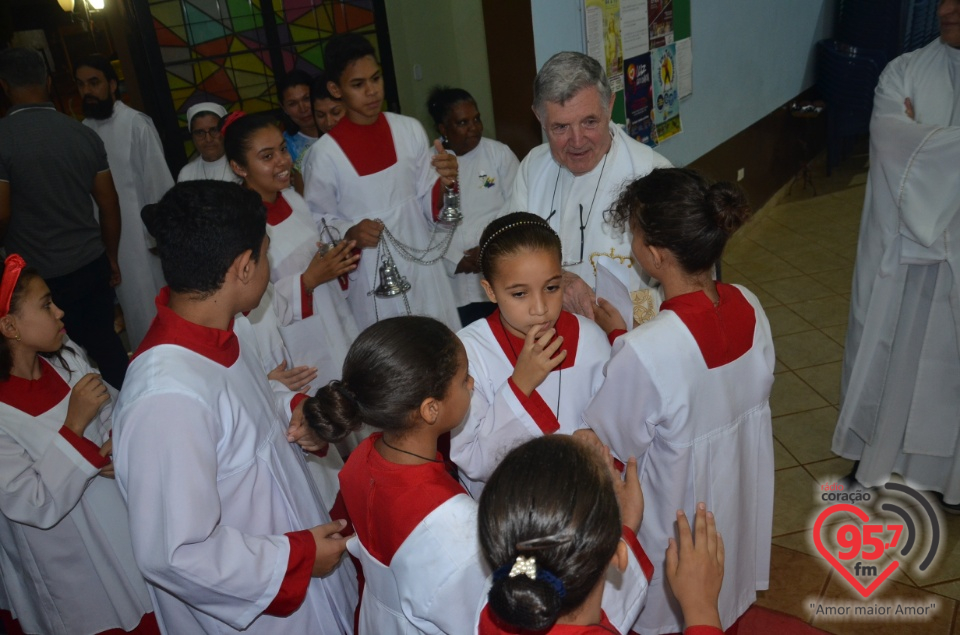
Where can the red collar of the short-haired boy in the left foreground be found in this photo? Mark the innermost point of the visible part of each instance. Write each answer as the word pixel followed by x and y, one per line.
pixel 167 327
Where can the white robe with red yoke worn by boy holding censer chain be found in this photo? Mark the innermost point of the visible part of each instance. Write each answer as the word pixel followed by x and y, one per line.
pixel 342 188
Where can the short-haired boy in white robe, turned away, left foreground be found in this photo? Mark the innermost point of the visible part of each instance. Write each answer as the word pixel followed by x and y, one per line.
pixel 218 498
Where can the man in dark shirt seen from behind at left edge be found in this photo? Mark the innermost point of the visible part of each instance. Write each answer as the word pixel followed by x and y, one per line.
pixel 50 166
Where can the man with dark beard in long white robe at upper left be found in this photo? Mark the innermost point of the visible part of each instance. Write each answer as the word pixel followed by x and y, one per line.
pixel 141 176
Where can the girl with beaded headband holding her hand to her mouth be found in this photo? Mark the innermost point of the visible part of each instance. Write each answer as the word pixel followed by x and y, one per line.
pixel 536 366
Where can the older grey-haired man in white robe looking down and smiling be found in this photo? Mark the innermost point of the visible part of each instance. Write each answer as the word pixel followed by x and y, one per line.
pixel 574 178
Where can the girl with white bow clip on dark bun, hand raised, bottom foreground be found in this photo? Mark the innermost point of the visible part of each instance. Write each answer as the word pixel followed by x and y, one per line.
pixel 554 534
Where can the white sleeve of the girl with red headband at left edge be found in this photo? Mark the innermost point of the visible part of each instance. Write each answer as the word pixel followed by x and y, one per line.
pixel 41 493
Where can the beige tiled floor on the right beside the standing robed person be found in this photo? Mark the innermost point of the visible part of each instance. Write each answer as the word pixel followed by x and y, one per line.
pixel 797 255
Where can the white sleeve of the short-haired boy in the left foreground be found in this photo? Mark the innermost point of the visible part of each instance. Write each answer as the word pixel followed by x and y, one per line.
pixel 168 471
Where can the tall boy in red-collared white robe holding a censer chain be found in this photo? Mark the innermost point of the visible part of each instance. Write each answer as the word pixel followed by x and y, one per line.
pixel 377 166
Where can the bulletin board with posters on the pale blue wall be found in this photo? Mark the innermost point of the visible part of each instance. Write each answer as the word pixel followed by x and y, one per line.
pixel 646 49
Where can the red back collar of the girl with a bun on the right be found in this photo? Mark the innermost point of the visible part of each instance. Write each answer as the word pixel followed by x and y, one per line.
pixel 724 332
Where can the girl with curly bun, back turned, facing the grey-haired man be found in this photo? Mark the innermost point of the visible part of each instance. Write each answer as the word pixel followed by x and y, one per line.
pixel 688 392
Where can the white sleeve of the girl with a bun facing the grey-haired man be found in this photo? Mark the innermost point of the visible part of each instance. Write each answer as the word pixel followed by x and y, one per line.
pixel 623 412
